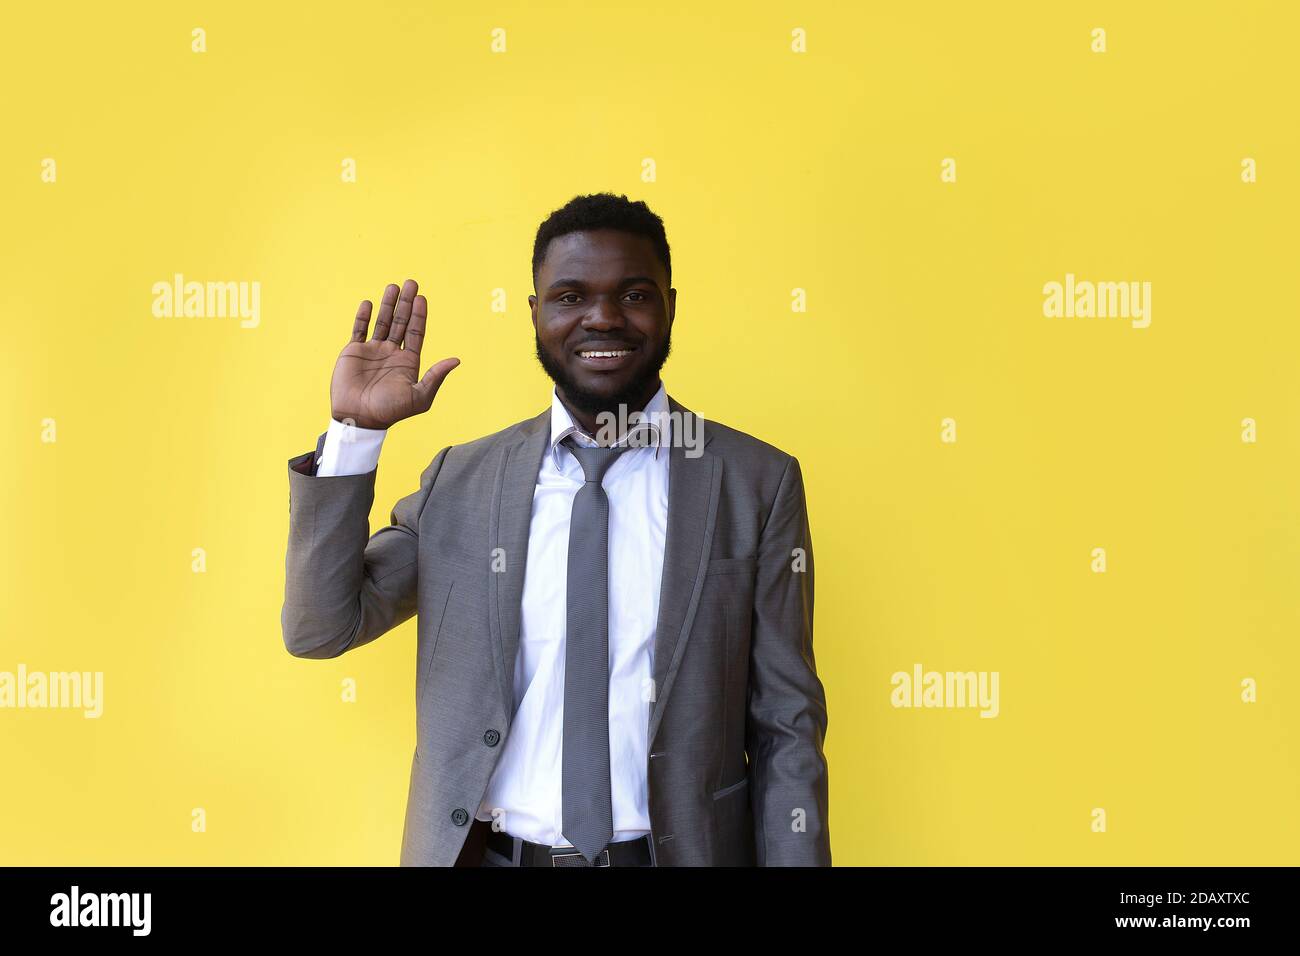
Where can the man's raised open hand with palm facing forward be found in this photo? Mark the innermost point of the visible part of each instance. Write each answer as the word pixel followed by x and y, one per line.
pixel 378 383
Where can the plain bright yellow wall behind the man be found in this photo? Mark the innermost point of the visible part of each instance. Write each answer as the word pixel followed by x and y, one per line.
pixel 775 171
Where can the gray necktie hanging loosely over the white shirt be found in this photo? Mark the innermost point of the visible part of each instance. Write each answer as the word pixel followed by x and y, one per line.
pixel 587 799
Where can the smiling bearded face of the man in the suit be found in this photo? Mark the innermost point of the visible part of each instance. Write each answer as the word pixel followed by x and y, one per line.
pixel 604 292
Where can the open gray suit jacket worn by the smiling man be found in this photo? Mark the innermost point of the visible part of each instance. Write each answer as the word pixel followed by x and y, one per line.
pixel 736 769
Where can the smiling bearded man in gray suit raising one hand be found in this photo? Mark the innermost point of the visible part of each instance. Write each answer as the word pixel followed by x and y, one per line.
pixel 614 599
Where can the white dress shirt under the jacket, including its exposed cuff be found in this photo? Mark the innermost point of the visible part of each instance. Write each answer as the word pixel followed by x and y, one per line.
pixel 526 789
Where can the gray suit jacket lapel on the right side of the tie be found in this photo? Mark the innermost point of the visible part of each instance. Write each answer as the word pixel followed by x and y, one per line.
pixel 694 488
